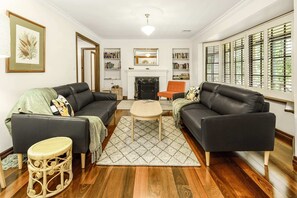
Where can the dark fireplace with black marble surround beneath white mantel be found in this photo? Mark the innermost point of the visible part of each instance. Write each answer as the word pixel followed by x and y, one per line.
pixel 146 88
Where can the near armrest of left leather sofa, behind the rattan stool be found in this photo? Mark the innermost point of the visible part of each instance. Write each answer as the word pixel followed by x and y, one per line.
pixel 27 129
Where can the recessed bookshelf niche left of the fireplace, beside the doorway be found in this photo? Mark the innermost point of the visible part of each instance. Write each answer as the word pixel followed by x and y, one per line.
pixel 112 63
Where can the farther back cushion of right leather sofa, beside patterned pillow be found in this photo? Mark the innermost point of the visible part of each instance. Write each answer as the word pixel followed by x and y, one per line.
pixel 207 93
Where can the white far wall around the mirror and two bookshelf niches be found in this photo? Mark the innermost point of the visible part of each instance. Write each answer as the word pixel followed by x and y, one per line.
pixel 127 57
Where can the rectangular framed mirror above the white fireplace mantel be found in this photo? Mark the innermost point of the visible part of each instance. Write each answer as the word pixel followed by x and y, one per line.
pixel 146 56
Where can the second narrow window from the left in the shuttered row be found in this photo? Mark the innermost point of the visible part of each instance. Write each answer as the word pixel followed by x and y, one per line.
pixel 227 63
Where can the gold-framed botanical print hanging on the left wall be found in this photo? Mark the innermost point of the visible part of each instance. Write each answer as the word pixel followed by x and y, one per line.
pixel 27 45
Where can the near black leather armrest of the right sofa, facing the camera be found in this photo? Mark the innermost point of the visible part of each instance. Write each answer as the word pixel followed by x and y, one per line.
pixel 239 132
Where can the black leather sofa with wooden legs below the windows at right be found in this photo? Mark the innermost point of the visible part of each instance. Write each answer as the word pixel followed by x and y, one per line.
pixel 230 119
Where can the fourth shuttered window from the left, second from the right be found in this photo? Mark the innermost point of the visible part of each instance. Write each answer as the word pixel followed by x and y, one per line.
pixel 256 57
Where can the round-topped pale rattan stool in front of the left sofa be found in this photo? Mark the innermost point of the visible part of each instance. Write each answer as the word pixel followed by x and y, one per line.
pixel 50 167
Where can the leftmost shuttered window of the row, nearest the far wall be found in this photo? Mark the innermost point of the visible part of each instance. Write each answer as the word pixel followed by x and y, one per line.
pixel 212 64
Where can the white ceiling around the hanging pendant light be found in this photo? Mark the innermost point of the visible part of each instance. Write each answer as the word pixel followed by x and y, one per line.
pixel 123 19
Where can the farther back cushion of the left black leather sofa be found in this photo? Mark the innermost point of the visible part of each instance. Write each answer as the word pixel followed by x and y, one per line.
pixel 82 94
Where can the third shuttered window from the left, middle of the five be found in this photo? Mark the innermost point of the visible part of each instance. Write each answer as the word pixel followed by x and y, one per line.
pixel 238 47
